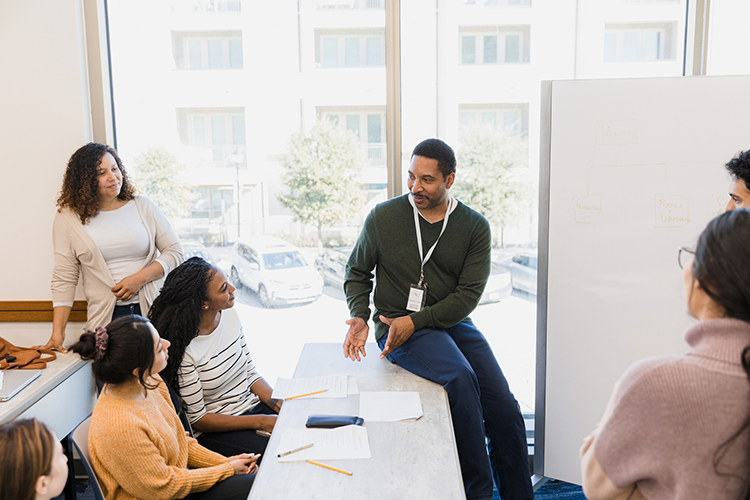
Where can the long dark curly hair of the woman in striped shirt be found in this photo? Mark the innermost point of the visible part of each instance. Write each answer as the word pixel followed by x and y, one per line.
pixel 176 311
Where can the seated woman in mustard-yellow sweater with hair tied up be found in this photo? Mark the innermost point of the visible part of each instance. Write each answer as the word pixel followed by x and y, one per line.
pixel 137 444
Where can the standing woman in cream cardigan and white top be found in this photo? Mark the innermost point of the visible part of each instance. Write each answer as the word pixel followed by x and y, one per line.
pixel 119 243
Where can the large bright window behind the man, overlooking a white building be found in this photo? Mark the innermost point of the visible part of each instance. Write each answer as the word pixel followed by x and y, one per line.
pixel 240 94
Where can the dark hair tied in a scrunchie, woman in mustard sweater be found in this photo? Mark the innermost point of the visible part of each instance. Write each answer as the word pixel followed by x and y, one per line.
pixel 125 345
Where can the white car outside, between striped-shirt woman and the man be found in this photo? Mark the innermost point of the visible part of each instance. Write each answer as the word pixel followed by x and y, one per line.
pixel 275 270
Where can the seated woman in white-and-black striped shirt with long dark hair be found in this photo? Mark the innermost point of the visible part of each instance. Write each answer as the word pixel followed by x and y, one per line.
pixel 226 399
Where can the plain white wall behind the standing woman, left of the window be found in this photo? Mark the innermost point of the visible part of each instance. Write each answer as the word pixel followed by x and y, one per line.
pixel 44 117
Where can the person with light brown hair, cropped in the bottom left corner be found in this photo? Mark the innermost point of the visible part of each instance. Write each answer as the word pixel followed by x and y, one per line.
pixel 33 466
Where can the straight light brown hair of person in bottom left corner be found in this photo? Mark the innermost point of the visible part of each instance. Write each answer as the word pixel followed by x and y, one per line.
pixel 26 448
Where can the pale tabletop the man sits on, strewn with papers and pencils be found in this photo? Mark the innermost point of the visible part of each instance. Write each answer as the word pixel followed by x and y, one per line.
pixel 416 460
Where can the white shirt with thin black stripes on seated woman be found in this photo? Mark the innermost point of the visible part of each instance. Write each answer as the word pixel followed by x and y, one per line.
pixel 217 371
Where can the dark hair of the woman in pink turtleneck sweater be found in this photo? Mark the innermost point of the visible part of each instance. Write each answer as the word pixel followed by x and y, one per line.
pixel 722 263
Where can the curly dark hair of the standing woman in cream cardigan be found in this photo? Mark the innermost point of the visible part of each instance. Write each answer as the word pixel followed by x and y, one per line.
pixel 80 190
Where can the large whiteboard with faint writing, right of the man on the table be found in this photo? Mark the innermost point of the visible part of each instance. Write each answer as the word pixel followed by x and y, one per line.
pixel 636 169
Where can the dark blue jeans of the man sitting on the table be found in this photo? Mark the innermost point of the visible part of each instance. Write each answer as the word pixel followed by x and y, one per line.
pixel 482 406
